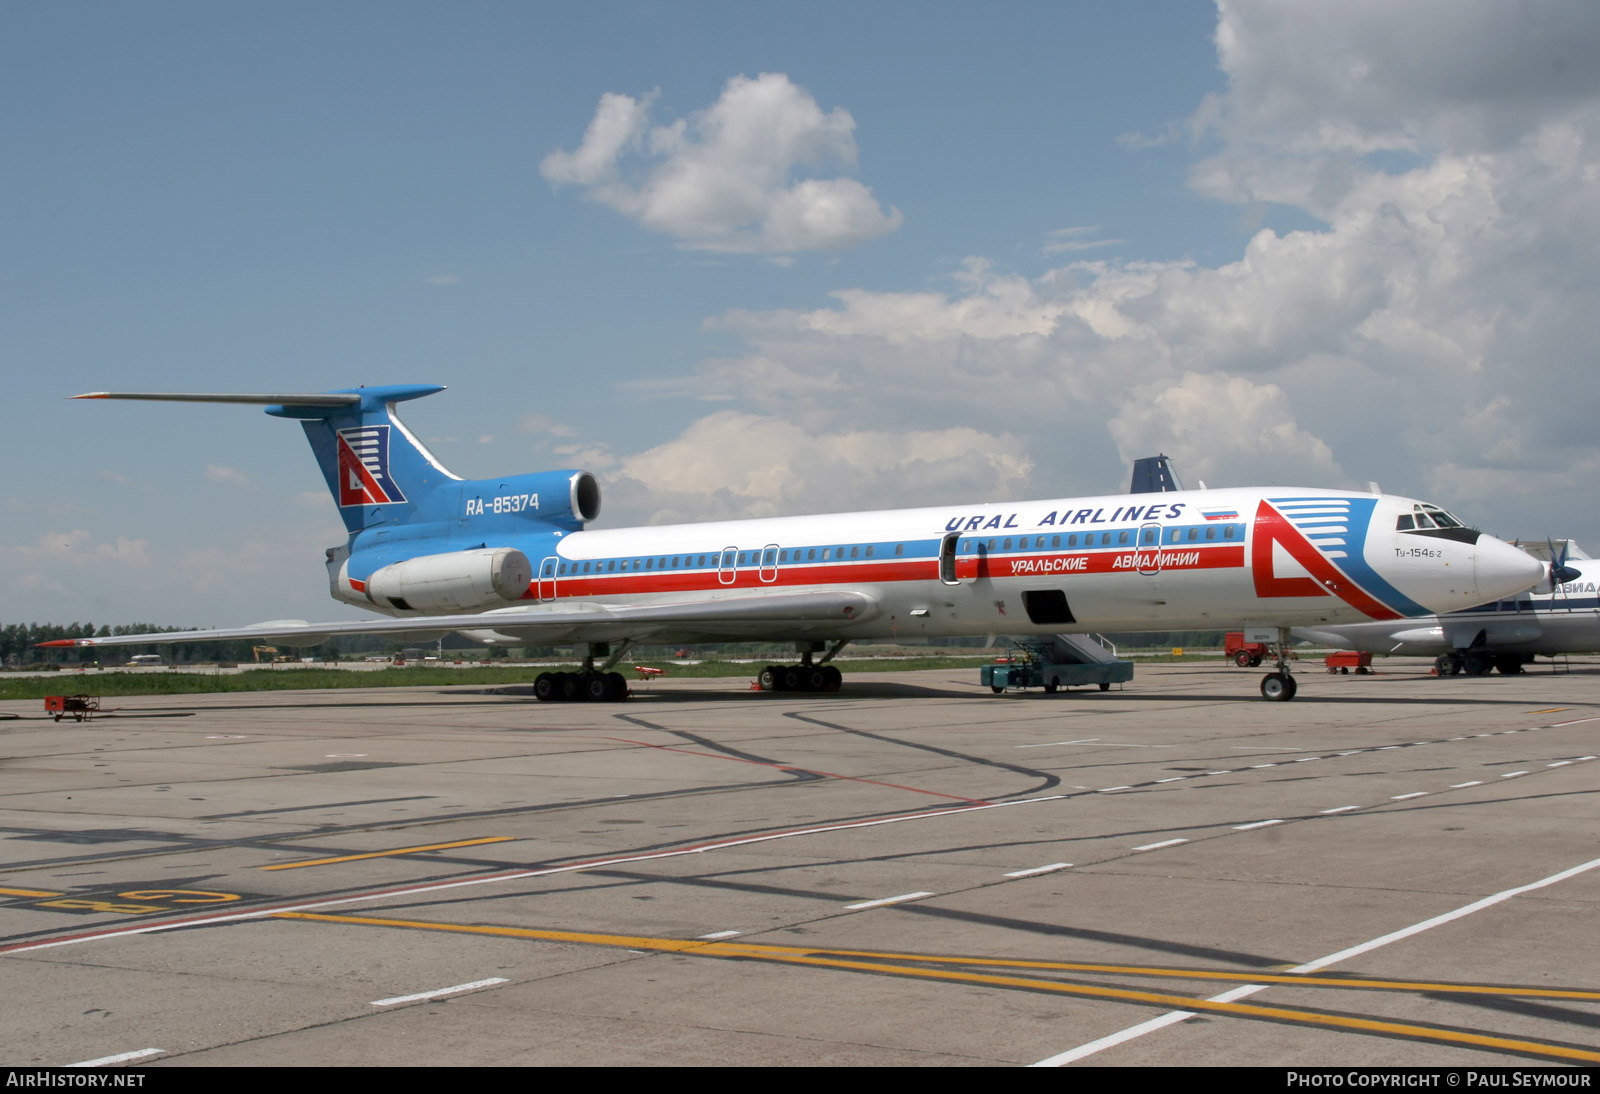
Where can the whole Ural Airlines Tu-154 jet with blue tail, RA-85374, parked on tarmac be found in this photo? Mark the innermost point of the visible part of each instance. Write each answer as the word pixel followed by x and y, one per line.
pixel 511 561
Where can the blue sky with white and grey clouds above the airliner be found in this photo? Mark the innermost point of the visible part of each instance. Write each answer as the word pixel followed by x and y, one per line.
pixel 1082 233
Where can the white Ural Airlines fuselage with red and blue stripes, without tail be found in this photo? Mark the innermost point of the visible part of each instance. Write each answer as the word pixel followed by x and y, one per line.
pixel 1138 562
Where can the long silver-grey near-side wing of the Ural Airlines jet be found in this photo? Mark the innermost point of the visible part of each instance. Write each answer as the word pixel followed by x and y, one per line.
pixel 766 617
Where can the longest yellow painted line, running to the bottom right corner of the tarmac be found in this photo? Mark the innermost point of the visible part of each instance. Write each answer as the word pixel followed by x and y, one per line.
pixel 794 956
